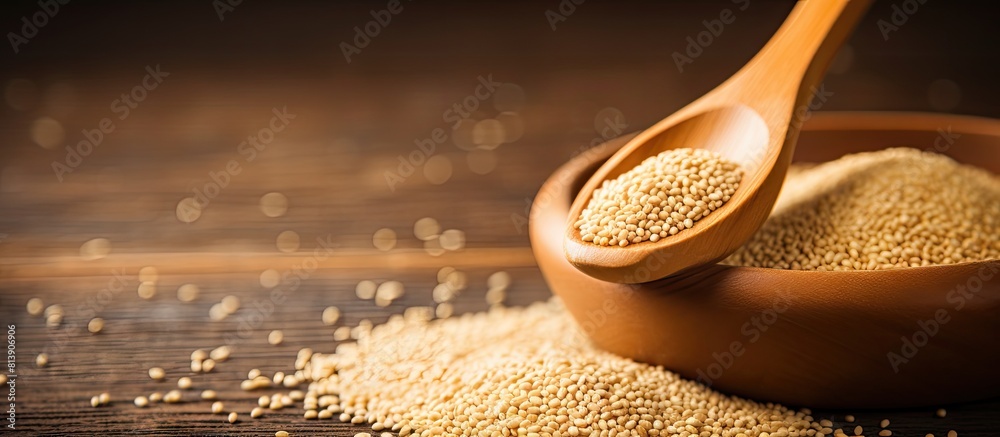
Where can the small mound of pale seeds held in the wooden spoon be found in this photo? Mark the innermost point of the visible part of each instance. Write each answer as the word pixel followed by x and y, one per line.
pixel 663 195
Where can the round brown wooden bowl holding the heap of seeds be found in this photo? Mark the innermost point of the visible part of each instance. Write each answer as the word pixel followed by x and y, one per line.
pixel 893 338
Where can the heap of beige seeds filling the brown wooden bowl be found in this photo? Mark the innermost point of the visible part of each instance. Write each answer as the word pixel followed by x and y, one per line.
pixel 881 210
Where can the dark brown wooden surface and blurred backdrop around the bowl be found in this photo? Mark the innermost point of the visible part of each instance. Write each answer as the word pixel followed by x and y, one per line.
pixel 607 60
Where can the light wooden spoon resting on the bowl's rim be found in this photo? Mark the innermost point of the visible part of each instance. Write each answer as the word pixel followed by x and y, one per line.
pixel 752 119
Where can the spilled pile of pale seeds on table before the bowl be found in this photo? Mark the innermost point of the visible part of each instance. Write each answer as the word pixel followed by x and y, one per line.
pixel 486 374
